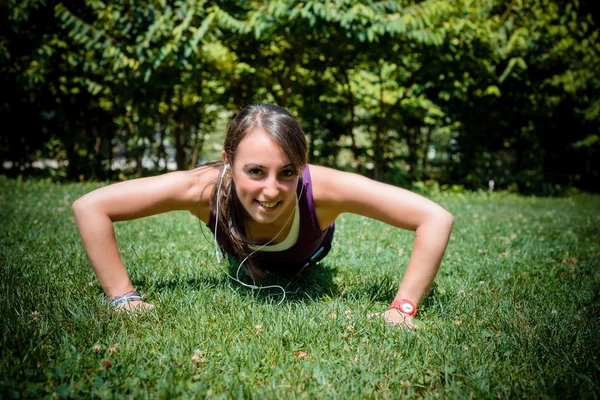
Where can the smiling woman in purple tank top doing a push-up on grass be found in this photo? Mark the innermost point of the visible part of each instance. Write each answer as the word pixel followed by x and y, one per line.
pixel 274 211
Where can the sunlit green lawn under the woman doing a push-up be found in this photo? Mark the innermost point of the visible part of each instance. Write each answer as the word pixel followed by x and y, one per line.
pixel 515 313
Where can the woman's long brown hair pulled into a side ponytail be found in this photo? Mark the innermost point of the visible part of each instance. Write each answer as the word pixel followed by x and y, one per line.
pixel 285 130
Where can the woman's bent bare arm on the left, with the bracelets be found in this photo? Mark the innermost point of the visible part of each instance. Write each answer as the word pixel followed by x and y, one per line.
pixel 96 211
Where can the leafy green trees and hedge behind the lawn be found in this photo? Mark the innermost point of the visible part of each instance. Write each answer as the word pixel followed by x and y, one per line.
pixel 453 91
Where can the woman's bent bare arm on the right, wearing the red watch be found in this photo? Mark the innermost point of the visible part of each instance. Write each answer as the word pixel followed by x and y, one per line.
pixel 336 192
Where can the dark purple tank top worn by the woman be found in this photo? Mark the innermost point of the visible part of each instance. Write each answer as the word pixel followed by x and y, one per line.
pixel 310 236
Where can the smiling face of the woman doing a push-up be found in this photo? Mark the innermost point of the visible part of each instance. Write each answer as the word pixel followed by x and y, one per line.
pixel 265 181
